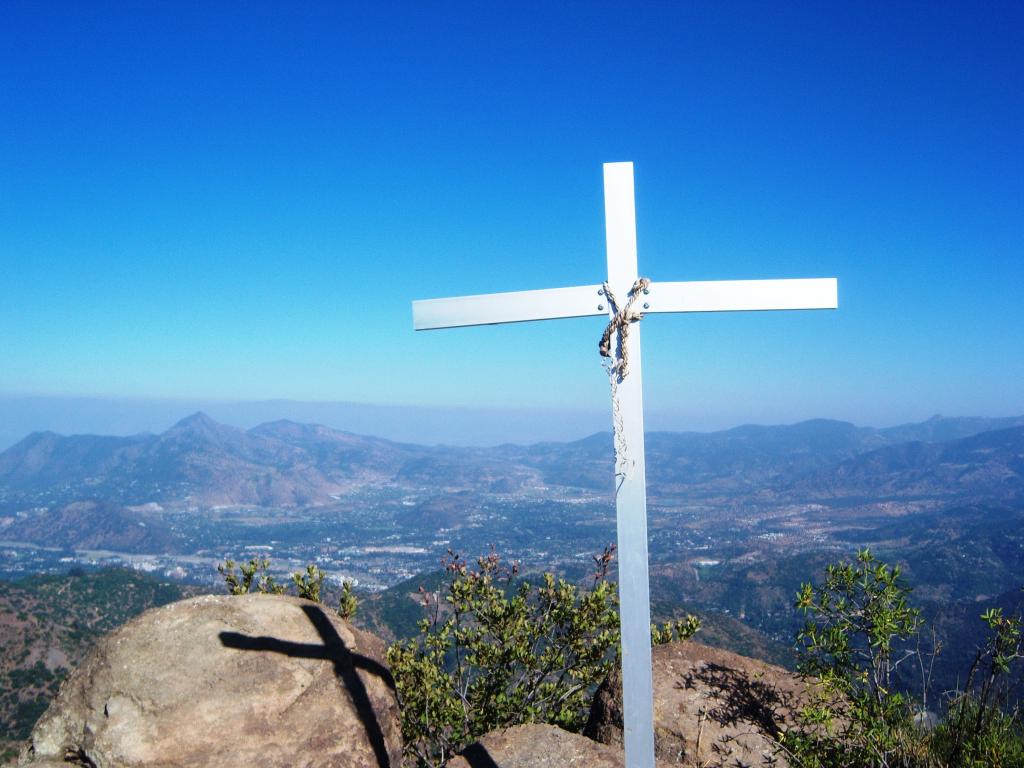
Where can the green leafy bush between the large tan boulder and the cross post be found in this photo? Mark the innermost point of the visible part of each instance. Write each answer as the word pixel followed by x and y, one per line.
pixel 495 654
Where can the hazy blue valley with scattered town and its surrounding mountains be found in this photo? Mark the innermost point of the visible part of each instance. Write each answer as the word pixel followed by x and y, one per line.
pixel 738 521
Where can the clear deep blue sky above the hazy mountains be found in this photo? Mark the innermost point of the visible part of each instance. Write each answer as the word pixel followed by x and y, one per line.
pixel 239 201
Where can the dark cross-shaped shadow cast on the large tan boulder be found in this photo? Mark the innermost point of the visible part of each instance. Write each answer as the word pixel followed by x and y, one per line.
pixel 346 665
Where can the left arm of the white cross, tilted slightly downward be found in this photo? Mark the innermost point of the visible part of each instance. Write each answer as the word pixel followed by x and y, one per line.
pixel 520 307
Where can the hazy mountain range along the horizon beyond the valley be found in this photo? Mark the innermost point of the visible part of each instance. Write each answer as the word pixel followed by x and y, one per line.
pixel 201 463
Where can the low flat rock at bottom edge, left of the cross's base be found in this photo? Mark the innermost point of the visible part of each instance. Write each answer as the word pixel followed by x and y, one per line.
pixel 539 747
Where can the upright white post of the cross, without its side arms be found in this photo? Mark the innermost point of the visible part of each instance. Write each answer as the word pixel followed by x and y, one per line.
pixel 631 494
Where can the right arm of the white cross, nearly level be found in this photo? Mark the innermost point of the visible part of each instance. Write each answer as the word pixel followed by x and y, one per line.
pixel 734 295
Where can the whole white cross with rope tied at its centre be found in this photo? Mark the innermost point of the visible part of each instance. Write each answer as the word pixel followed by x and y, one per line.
pixel 631 497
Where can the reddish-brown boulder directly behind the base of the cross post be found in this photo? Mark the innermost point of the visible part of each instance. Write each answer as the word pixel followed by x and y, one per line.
pixel 712 708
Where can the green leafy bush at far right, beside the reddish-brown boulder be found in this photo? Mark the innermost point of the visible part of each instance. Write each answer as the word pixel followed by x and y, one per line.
pixel 859 631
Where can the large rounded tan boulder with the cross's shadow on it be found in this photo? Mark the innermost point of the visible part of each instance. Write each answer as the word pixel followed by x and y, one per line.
pixel 262 680
